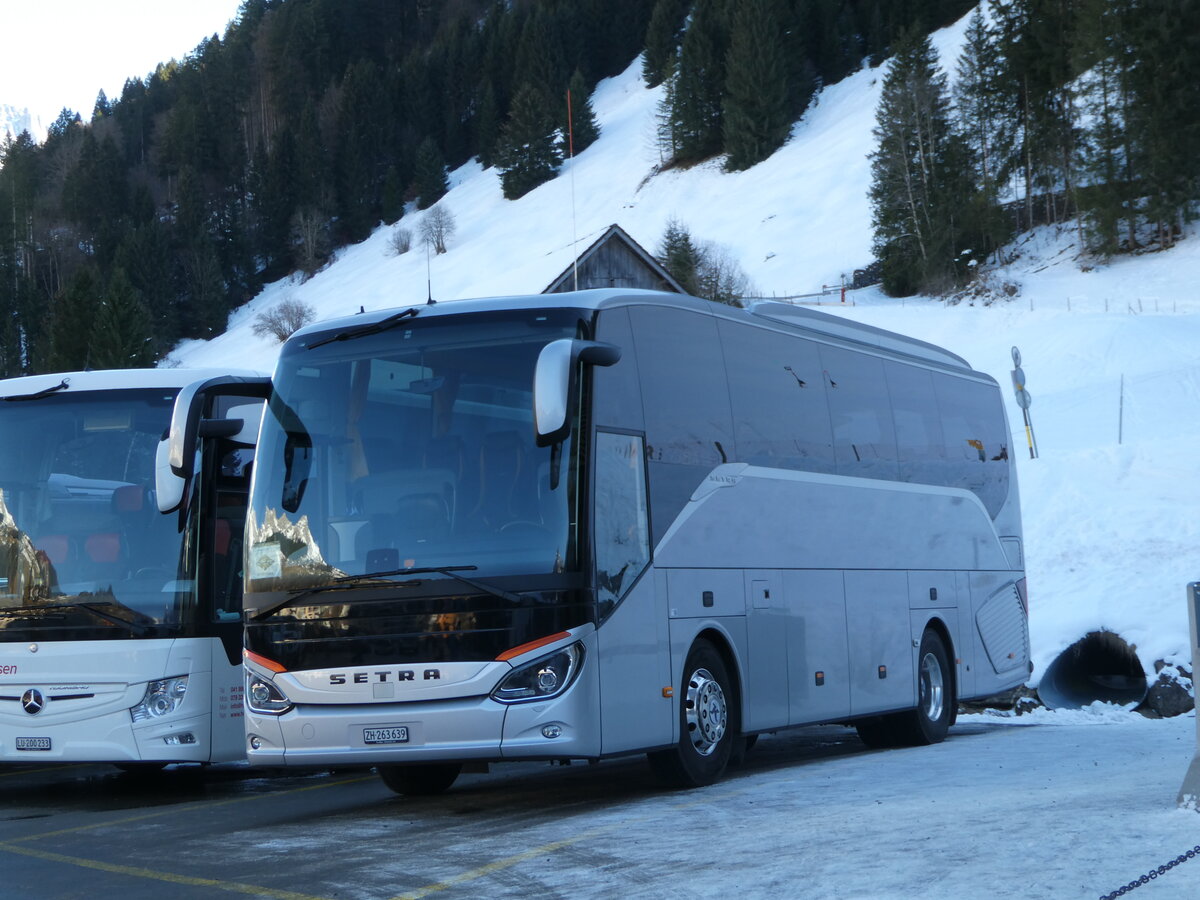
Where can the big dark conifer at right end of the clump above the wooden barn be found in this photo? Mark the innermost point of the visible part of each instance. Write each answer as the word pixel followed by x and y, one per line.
pixel 758 111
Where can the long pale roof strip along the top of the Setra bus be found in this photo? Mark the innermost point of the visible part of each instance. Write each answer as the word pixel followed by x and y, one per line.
pixel 763 313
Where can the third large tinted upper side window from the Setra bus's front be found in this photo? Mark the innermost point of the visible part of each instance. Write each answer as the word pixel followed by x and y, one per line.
pixel 863 434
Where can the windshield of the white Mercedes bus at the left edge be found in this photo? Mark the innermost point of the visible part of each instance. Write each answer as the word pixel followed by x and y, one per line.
pixel 85 554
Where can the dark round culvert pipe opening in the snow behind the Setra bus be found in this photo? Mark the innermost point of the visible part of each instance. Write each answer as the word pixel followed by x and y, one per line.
pixel 1100 667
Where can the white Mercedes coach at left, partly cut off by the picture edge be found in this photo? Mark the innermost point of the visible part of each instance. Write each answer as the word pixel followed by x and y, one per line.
pixel 121 603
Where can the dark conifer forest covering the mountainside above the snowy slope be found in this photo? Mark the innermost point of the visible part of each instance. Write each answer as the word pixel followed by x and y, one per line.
pixel 151 218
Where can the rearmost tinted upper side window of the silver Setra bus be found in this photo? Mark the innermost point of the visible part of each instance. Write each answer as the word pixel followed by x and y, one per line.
pixel 977 439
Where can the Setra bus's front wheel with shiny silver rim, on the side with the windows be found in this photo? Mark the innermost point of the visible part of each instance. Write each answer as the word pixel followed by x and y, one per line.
pixel 710 723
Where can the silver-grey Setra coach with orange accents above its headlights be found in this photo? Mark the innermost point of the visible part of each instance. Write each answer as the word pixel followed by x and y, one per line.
pixel 581 526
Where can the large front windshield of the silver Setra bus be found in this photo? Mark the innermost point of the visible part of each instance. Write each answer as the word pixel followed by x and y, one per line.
pixel 412 448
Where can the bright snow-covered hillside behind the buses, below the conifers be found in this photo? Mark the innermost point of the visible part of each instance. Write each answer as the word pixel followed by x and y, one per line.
pixel 1109 350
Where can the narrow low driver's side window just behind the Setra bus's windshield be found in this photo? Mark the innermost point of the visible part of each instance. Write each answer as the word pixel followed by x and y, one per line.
pixel 622 527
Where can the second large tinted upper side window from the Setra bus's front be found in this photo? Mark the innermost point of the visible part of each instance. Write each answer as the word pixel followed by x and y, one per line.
pixel 781 416
